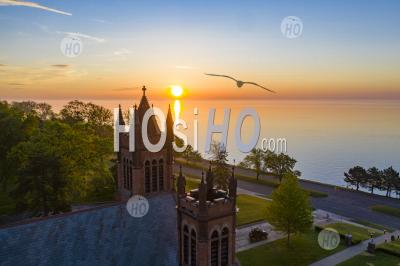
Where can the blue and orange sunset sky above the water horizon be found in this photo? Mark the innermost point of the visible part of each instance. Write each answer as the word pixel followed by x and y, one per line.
pixel 347 49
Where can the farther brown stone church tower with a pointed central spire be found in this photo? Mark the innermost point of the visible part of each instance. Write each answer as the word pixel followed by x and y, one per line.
pixel 142 171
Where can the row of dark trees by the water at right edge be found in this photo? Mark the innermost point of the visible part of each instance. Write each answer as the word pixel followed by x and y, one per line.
pixel 373 179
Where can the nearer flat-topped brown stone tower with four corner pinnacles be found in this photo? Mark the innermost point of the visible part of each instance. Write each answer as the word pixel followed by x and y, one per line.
pixel 206 223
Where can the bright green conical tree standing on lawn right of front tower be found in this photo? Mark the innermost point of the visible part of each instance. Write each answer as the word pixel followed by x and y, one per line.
pixel 290 210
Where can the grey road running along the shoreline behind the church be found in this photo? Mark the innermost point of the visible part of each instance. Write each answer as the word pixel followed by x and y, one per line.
pixel 350 204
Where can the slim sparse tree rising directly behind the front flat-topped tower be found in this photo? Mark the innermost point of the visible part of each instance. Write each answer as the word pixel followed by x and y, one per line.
pixel 221 170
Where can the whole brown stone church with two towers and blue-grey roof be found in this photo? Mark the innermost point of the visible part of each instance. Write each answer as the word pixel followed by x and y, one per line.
pixel 185 228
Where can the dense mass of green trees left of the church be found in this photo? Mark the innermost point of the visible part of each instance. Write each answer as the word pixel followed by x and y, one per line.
pixel 49 160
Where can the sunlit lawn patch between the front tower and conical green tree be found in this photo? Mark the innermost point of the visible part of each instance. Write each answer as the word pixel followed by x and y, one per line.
pixel 251 209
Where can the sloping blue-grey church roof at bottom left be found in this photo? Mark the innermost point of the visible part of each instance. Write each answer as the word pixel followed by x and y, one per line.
pixel 101 236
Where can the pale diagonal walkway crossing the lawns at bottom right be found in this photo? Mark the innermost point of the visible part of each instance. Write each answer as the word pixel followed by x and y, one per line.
pixel 352 251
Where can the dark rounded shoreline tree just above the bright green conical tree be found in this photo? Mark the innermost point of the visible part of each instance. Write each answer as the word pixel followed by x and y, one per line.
pixel 280 164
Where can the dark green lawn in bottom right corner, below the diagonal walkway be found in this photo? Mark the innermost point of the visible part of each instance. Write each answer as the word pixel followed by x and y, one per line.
pixel 378 259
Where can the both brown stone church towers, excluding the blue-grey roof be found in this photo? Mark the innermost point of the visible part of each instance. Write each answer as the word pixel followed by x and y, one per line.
pixel 206 216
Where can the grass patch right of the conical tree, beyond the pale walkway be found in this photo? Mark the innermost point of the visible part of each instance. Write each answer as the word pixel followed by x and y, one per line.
pixel 359 233
